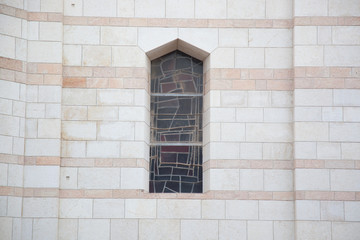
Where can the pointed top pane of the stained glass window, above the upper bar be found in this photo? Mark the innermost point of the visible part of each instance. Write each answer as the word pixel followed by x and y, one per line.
pixel 176 73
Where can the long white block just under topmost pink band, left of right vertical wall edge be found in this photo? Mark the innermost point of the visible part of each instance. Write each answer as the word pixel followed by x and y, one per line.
pixel 270 37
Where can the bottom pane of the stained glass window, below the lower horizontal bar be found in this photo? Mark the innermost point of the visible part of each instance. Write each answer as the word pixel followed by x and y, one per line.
pixel 176 169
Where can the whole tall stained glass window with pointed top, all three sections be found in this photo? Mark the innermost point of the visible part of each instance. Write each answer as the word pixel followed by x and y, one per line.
pixel 176 124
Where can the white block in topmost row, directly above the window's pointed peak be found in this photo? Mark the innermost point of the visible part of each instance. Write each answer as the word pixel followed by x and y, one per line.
pixel 180 9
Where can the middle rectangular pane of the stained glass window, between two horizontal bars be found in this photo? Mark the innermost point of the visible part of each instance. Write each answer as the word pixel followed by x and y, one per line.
pixel 176 119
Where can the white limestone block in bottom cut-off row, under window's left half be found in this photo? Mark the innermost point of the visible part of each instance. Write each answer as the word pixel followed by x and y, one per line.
pixel 159 229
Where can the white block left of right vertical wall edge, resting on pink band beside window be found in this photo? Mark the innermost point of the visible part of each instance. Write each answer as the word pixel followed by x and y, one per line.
pixel 278 57
